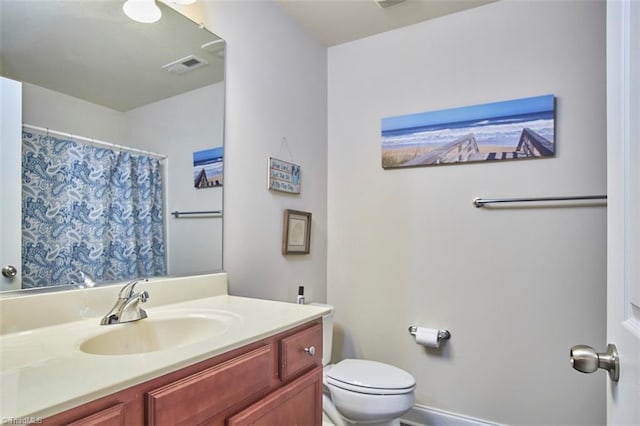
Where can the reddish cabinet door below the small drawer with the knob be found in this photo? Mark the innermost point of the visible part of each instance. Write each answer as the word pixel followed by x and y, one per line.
pixel 298 403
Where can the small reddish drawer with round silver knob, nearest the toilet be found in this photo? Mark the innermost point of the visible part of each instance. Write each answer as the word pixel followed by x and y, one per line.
pixel 294 360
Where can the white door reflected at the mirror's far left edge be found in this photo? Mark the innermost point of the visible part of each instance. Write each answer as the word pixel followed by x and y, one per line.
pixel 10 183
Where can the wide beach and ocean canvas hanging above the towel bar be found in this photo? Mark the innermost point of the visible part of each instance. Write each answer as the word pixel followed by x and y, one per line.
pixel 509 130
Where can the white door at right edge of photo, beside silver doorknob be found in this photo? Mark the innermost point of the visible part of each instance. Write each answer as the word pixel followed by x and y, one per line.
pixel 623 212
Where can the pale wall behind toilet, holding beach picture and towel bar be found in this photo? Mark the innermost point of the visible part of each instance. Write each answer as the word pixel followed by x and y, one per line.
pixel 517 287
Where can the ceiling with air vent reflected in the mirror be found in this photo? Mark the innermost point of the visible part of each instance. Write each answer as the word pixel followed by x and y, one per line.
pixel 90 50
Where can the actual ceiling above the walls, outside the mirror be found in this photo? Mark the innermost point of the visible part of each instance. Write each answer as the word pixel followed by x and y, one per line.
pixel 339 21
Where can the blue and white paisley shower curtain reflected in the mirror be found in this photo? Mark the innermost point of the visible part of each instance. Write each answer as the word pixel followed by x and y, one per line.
pixel 88 210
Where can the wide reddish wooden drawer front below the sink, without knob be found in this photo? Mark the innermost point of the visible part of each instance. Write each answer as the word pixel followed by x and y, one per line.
pixel 201 396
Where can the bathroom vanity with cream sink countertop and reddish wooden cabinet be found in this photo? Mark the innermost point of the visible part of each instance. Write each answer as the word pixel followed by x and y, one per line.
pixel 236 361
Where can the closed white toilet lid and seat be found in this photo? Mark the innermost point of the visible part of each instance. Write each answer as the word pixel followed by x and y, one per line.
pixel 370 377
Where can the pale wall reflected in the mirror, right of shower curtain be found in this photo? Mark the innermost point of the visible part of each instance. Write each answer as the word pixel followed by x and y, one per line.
pixel 177 127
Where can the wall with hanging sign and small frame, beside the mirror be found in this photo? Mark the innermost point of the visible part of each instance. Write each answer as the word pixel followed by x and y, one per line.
pixel 276 87
